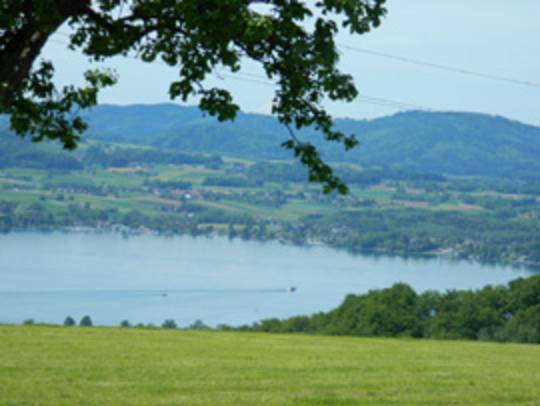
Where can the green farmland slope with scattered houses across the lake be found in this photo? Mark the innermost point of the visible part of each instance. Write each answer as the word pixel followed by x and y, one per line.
pixel 386 212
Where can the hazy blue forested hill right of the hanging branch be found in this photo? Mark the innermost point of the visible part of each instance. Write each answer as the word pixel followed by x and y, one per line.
pixel 451 143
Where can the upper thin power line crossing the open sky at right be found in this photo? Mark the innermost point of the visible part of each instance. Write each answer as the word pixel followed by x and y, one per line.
pixel 440 66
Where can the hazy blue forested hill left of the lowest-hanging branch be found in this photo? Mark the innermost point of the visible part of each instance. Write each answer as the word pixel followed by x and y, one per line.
pixel 185 128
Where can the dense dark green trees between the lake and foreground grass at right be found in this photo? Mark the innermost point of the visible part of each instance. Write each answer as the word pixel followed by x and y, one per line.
pixel 501 313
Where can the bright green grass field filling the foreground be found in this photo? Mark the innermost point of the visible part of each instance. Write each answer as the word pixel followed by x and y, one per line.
pixel 74 366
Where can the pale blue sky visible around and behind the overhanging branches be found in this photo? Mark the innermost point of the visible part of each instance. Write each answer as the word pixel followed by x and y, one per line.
pixel 494 37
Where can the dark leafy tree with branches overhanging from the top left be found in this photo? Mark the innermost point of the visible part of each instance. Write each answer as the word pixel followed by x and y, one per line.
pixel 294 44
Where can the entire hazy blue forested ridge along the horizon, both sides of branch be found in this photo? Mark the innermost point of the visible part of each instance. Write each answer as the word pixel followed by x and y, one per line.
pixel 452 143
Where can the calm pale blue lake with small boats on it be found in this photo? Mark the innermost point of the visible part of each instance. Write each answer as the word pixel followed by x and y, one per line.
pixel 148 279
